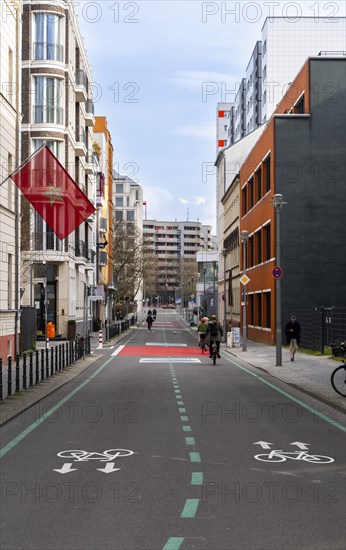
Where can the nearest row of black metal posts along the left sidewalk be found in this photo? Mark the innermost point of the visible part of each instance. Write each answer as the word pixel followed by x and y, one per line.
pixel 30 369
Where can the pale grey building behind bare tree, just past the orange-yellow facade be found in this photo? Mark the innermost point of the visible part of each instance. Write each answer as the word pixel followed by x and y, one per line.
pixel 128 220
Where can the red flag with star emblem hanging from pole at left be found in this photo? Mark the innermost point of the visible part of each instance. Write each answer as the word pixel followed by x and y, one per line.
pixel 53 193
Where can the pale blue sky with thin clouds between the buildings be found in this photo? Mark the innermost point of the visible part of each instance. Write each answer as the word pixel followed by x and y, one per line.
pixel 153 64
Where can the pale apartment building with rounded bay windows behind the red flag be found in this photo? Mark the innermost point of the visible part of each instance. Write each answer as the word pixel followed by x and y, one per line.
pixel 57 109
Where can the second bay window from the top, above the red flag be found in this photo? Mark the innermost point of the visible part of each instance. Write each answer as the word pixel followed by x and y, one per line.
pixel 47 100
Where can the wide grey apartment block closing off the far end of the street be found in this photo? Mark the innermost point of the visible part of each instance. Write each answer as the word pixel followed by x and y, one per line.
pixel 172 247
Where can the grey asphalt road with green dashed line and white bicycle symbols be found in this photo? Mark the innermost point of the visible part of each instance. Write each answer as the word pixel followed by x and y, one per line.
pixel 155 448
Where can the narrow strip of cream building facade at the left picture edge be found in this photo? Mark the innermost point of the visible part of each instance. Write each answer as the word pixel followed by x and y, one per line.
pixel 10 77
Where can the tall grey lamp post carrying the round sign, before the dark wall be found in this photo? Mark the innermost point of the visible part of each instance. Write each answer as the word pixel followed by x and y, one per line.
pixel 278 202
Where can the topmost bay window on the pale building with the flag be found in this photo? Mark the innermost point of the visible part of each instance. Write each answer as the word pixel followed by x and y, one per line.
pixel 47 37
